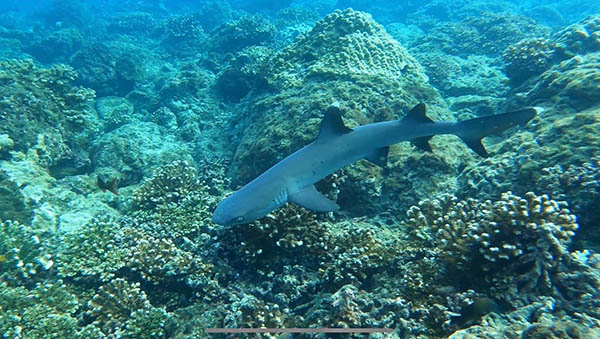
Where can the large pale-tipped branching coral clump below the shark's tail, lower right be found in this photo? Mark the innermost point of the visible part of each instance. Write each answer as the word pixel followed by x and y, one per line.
pixel 519 245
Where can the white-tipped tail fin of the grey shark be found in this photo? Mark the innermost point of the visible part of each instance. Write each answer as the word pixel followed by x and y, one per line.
pixel 473 130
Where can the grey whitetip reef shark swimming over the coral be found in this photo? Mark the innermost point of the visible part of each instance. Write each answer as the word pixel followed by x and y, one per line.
pixel 292 179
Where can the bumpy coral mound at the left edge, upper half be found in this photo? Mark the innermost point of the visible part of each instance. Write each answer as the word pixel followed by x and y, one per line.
pixel 40 108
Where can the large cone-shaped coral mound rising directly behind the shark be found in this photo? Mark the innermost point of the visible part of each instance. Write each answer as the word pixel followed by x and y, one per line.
pixel 345 57
